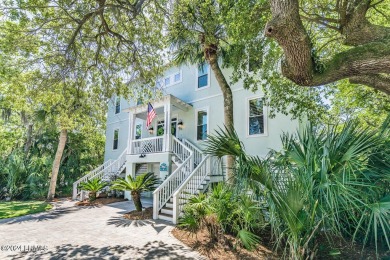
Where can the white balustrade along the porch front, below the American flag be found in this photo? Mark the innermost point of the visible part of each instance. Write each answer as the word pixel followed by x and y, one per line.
pixel 148 145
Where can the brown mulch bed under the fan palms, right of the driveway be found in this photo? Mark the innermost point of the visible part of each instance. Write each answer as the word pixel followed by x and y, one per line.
pixel 201 243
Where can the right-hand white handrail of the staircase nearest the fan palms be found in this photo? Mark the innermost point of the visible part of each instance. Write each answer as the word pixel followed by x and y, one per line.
pixel 194 180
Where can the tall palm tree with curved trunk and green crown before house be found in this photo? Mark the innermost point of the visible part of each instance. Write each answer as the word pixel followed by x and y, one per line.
pixel 197 36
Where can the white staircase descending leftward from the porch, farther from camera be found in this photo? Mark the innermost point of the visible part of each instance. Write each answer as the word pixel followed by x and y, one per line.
pixel 105 172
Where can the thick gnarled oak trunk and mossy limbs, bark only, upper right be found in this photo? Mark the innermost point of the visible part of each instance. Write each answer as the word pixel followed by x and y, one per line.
pixel 367 63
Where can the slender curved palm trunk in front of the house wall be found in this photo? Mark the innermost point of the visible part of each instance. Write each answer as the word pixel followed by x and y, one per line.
pixel 228 105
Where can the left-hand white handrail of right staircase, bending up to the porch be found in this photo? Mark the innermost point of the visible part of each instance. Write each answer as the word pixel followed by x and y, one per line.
pixel 164 192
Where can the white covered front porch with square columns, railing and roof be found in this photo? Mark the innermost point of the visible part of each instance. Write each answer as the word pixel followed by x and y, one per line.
pixel 158 138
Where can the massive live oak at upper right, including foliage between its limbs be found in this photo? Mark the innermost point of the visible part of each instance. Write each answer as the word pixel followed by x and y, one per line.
pixel 327 41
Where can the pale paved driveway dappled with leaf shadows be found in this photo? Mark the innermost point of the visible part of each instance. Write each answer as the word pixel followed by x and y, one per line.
pixel 70 232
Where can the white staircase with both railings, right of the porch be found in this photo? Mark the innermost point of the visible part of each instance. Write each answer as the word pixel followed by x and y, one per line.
pixel 192 176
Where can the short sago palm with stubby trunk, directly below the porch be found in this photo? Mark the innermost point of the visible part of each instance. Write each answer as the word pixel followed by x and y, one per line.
pixel 142 183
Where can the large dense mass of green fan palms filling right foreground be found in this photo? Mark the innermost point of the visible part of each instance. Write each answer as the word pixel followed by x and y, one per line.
pixel 331 179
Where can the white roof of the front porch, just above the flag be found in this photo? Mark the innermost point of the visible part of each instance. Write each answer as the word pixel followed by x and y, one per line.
pixel 140 111
